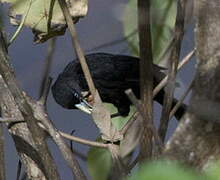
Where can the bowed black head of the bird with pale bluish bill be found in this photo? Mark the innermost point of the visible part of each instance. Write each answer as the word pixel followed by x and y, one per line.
pixel 69 95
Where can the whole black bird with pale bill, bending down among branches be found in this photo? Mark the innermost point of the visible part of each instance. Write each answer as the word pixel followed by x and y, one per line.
pixel 112 75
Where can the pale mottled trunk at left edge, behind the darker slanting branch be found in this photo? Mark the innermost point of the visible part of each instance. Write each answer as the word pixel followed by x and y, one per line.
pixel 21 135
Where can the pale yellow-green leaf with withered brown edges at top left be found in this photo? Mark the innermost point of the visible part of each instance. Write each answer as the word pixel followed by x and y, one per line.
pixel 45 17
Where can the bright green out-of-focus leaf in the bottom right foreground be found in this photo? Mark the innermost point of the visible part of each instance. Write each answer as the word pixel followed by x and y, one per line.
pixel 162 170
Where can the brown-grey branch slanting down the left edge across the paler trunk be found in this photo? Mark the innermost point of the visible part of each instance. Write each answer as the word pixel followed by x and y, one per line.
pixel 48 165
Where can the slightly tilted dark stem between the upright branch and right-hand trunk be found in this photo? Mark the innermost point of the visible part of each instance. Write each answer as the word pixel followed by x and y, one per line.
pixel 172 71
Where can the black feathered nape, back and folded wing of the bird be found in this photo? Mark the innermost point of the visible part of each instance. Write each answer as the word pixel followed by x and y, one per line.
pixel 106 69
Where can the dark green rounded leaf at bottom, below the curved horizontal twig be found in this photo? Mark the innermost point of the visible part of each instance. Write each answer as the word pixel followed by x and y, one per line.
pixel 99 163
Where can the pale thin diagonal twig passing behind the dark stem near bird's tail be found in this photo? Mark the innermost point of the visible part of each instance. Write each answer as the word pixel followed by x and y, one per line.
pixel 163 83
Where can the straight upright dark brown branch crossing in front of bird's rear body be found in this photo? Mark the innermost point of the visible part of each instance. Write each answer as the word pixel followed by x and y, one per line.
pixel 146 76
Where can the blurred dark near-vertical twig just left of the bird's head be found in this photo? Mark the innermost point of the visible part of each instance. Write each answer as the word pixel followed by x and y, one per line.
pixel 48 60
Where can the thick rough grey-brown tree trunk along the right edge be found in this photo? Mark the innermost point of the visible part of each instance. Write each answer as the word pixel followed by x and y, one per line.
pixel 196 140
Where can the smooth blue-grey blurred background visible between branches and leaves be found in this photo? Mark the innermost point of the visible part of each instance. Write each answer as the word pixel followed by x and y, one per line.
pixel 103 24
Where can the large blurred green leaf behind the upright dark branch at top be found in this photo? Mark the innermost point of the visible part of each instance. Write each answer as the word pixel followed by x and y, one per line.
pixel 163 15
